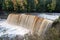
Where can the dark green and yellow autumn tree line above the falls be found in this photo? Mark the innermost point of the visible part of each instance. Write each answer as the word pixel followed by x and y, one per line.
pixel 30 5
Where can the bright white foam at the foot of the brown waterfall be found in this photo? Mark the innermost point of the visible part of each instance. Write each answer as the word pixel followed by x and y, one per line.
pixel 12 29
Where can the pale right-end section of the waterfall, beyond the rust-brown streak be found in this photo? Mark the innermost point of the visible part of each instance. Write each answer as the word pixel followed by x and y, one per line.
pixel 46 24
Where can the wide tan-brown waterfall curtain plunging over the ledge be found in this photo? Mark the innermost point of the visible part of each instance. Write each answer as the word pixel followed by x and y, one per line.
pixel 36 25
